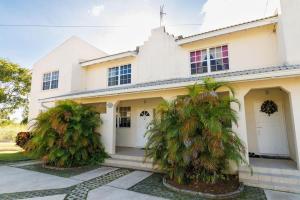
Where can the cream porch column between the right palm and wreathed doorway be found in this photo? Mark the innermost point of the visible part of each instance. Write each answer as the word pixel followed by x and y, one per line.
pixel 241 127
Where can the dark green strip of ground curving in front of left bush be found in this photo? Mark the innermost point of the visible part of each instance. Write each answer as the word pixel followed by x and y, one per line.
pixel 63 173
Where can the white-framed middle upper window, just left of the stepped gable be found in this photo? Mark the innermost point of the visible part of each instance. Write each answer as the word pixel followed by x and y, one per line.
pixel 120 75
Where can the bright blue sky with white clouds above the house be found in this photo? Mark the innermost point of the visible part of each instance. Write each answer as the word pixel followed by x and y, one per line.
pixel 127 23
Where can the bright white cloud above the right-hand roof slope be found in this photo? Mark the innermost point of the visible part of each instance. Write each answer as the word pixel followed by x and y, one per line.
pixel 221 13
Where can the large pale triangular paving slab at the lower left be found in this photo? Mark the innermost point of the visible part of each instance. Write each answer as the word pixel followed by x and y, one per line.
pixel 19 180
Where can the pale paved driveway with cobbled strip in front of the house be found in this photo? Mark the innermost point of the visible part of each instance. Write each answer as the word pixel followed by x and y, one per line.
pixel 105 183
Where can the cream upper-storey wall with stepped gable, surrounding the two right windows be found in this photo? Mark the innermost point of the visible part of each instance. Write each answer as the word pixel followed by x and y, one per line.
pixel 160 57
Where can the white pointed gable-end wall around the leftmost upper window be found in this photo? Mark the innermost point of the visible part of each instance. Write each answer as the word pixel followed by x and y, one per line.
pixel 65 58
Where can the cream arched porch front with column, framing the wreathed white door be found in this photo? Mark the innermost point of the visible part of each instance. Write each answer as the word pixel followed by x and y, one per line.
pixel 275 134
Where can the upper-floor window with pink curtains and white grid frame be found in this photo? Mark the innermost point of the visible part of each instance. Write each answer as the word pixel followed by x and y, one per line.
pixel 216 61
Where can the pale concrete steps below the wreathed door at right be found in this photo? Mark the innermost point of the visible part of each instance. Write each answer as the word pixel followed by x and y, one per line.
pixel 286 180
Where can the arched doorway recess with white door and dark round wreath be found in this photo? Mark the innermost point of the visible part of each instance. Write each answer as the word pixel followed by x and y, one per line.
pixel 269 124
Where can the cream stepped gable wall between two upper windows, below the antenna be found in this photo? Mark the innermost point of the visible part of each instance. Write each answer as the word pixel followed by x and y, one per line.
pixel 160 58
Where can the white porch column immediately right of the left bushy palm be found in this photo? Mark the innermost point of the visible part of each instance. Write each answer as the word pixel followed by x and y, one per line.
pixel 108 128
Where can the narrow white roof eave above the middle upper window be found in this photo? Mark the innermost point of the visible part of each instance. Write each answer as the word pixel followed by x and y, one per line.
pixel 108 58
